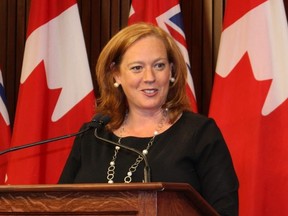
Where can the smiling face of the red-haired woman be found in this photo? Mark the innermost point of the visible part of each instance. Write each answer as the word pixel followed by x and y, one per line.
pixel 145 73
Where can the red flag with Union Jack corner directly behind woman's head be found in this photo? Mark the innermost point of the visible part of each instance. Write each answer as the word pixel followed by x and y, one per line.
pixel 167 15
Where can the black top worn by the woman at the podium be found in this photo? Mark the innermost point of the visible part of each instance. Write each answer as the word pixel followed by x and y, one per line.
pixel 191 151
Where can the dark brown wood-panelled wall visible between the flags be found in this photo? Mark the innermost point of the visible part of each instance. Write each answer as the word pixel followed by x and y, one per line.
pixel 101 19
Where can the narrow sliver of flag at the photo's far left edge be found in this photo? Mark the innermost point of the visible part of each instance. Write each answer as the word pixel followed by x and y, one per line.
pixel 5 132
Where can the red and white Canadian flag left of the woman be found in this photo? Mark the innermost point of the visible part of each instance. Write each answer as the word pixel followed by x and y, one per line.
pixel 56 93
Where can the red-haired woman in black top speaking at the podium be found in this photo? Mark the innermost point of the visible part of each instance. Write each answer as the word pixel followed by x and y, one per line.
pixel 141 75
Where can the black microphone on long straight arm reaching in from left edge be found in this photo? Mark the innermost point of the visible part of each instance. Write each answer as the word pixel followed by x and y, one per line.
pixel 96 122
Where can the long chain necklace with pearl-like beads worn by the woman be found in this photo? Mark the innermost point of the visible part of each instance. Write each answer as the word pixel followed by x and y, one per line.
pixel 139 159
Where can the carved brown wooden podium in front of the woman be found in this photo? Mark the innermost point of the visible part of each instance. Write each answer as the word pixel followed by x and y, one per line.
pixel 103 199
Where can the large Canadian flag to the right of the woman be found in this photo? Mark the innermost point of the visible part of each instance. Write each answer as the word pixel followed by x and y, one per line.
pixel 249 102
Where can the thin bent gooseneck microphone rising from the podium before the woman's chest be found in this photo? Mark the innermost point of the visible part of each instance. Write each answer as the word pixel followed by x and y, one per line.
pixel 104 120
